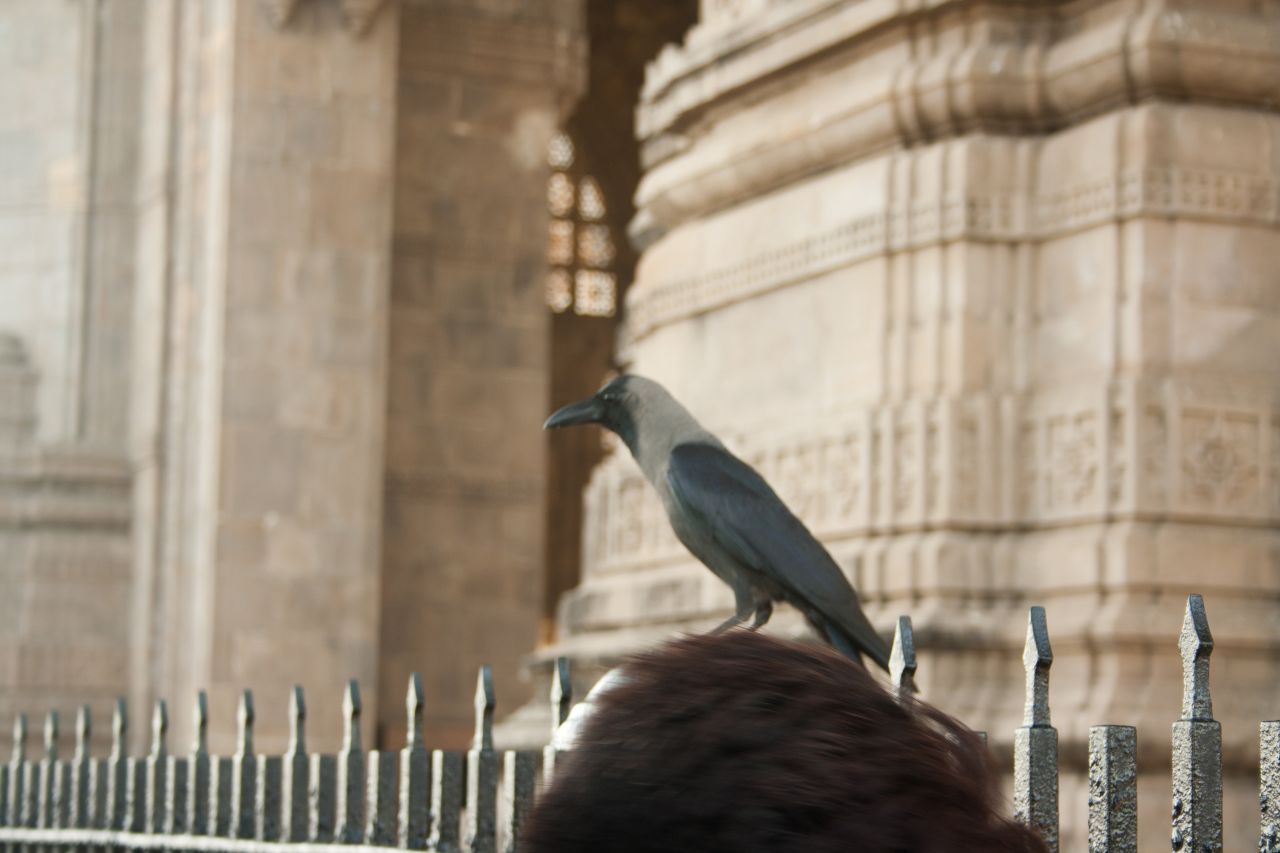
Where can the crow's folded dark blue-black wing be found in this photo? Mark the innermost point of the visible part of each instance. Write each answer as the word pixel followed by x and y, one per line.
pixel 751 522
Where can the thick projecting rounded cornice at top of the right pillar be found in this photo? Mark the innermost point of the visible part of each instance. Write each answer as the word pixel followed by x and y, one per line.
pixel 967 77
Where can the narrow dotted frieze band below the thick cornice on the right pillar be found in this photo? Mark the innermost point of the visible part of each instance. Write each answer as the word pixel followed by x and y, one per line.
pixel 1136 193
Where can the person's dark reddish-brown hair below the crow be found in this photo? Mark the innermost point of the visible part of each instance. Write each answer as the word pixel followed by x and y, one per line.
pixel 740 742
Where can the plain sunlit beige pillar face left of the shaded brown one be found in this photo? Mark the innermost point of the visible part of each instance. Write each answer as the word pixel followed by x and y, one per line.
pixel 268 256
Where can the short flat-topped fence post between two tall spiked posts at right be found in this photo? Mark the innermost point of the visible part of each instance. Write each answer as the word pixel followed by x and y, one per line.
pixel 1113 790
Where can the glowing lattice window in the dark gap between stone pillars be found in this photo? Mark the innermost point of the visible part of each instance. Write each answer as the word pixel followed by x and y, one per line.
pixel 580 248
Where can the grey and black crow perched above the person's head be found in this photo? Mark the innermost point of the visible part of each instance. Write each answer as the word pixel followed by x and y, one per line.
pixel 729 517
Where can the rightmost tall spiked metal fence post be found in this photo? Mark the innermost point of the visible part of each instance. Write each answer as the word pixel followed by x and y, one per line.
pixel 1197 745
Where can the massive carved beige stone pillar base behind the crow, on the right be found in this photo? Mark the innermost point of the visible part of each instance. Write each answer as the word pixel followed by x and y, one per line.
pixel 989 294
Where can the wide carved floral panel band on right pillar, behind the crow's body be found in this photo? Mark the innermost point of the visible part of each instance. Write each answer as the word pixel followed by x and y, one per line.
pixel 982 464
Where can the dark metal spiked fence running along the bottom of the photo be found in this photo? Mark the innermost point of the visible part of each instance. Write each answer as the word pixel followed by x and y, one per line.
pixel 476 800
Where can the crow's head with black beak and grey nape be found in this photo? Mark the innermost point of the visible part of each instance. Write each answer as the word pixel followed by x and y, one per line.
pixel 639 410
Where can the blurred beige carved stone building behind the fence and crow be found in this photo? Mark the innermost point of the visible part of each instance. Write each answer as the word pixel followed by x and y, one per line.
pixel 990 293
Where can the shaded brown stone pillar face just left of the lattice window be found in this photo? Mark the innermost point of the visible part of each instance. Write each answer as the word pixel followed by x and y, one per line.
pixel 482 90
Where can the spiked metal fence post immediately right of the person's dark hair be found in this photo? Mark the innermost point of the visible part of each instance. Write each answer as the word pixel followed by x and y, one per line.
pixel 1036 742
